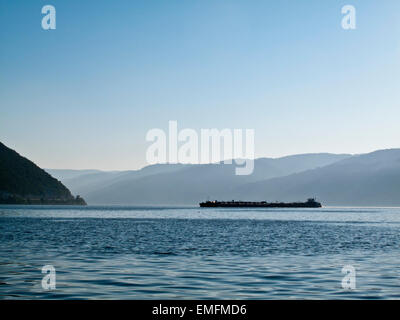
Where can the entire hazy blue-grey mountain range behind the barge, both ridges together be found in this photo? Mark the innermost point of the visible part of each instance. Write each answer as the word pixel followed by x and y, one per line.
pixel 371 179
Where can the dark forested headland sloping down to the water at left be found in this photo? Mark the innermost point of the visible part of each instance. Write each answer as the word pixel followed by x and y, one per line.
pixel 23 182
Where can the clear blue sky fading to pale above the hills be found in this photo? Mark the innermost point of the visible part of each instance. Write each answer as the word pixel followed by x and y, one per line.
pixel 83 96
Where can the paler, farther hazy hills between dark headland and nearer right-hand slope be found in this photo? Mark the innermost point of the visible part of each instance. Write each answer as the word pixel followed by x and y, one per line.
pixel 175 184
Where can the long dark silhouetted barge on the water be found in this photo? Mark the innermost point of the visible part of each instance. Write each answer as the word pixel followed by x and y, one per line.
pixel 310 203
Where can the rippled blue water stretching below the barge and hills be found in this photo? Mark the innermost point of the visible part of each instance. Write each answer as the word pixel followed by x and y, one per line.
pixel 192 253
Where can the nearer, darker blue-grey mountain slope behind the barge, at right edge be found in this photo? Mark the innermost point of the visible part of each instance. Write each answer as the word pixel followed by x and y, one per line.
pixel 365 180
